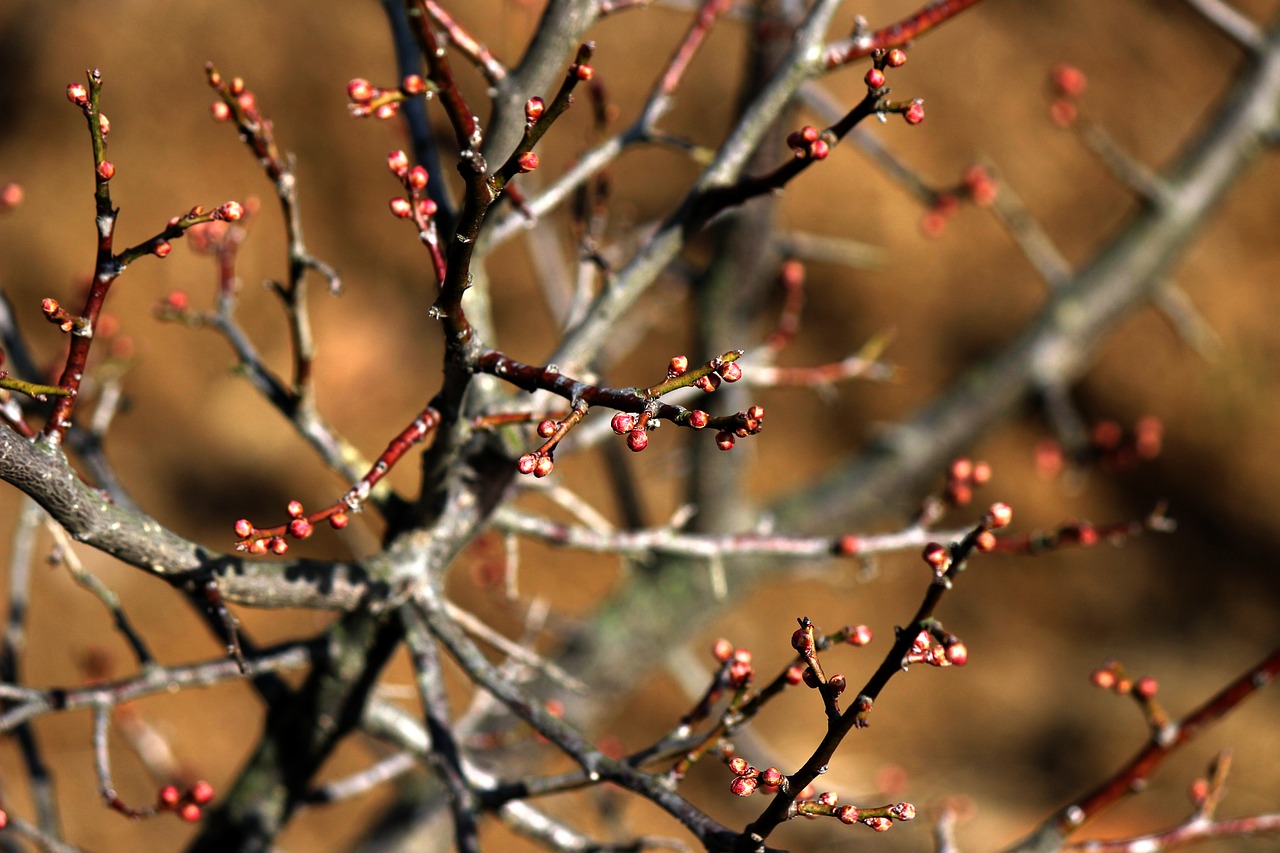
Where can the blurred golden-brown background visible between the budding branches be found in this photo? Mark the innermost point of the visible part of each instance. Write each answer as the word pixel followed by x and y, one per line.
pixel 1020 729
